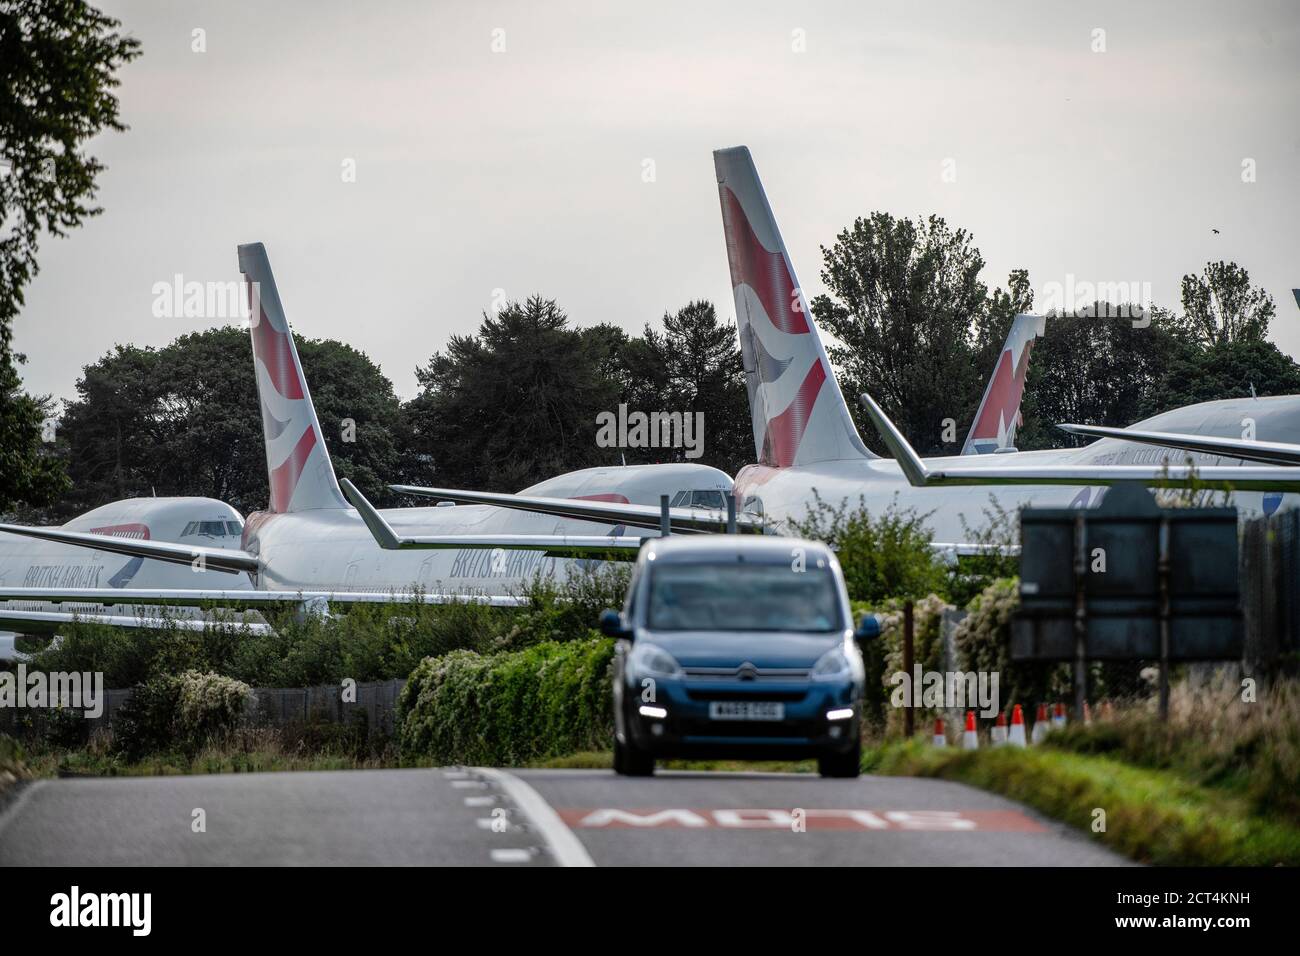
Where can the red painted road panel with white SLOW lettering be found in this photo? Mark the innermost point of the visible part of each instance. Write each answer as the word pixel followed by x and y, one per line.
pixel 751 819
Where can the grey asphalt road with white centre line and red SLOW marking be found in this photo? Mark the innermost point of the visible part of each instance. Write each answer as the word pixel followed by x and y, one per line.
pixel 528 819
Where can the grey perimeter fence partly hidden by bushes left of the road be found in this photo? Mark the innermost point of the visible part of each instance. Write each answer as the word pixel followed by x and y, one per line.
pixel 374 710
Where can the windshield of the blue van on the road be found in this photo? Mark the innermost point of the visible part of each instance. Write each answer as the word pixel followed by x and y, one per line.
pixel 743 598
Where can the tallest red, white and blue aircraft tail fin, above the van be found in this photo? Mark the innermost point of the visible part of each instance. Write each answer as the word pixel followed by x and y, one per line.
pixel 799 412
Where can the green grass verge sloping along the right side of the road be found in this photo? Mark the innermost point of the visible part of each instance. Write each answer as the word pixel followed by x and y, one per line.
pixel 1152 816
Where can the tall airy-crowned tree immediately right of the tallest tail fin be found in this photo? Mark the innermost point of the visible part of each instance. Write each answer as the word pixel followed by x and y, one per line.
pixel 907 304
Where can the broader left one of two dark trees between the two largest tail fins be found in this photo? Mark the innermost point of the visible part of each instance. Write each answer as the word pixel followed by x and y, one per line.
pixel 517 403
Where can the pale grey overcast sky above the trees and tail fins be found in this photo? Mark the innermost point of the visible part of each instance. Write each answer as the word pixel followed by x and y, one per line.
pixel 525 170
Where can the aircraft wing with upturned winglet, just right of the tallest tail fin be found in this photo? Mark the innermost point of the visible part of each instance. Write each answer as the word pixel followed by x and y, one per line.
pixel 1228 478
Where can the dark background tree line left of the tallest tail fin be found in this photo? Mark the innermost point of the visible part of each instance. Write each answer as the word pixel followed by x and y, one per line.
pixel 500 410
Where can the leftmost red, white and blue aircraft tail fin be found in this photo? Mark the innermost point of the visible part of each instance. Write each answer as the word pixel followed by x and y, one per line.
pixel 302 477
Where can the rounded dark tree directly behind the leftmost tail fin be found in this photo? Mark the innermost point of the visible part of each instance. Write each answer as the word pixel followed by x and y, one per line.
pixel 185 421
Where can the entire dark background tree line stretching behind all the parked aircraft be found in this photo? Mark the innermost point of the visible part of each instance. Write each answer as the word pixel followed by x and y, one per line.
pixel 518 401
